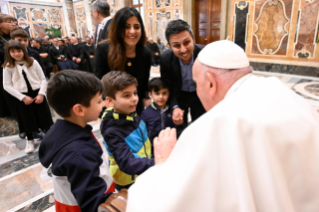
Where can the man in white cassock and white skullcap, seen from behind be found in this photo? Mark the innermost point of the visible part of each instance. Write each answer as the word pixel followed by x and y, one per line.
pixel 255 149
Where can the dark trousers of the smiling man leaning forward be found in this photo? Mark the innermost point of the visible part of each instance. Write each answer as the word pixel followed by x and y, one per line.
pixel 190 100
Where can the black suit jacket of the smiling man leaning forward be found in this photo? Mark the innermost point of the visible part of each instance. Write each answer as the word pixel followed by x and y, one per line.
pixel 171 72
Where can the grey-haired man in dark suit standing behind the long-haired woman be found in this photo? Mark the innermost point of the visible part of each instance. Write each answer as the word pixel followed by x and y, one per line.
pixel 101 14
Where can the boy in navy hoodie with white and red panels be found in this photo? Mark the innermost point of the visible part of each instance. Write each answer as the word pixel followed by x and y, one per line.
pixel 80 174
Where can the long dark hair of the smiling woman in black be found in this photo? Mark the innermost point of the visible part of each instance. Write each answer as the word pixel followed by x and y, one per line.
pixel 117 53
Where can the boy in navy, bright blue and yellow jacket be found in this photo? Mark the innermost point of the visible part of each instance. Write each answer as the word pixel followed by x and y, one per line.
pixel 124 132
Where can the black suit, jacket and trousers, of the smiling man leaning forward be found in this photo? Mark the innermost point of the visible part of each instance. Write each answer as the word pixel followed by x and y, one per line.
pixel 171 73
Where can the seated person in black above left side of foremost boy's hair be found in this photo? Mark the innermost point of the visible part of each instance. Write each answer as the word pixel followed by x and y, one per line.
pixel 59 56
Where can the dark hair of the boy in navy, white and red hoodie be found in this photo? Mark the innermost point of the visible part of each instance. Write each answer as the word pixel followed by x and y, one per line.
pixel 70 87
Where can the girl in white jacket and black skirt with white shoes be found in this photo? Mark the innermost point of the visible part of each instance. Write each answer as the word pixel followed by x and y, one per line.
pixel 23 78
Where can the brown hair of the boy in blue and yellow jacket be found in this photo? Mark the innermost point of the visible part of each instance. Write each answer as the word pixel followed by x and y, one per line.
pixel 115 81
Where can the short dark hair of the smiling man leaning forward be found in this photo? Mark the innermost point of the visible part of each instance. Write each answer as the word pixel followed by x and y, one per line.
pixel 177 26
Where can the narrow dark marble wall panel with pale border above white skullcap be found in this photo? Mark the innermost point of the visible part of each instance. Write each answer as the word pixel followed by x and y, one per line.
pixel 240 23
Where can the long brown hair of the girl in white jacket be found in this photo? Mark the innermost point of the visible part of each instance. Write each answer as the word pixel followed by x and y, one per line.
pixel 10 62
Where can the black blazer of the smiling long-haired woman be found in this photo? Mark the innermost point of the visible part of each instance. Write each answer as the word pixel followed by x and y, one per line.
pixel 142 64
